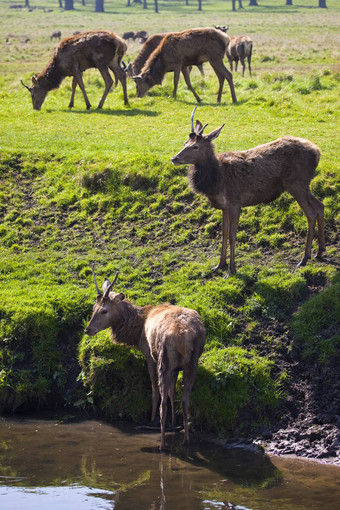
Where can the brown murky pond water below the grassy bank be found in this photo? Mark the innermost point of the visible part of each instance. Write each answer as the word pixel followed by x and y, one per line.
pixel 53 464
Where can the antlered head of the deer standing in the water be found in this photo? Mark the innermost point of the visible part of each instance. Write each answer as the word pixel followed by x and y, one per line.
pixel 106 311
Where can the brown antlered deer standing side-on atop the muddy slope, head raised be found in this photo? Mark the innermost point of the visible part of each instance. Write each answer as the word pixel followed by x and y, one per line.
pixel 232 180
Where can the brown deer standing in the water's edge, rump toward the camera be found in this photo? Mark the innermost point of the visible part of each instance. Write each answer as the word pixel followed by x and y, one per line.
pixel 171 338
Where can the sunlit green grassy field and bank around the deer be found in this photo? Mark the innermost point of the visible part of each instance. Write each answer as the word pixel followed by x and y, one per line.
pixel 80 186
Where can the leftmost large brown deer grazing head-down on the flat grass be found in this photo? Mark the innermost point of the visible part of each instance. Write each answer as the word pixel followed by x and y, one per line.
pixel 98 48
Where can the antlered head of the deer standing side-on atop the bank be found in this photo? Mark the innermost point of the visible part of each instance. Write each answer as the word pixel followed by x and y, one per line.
pixel 197 145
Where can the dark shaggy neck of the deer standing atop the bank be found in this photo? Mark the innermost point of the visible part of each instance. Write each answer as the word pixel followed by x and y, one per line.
pixel 205 176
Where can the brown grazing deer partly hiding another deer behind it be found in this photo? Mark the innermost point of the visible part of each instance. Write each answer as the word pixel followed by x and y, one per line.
pixel 177 51
